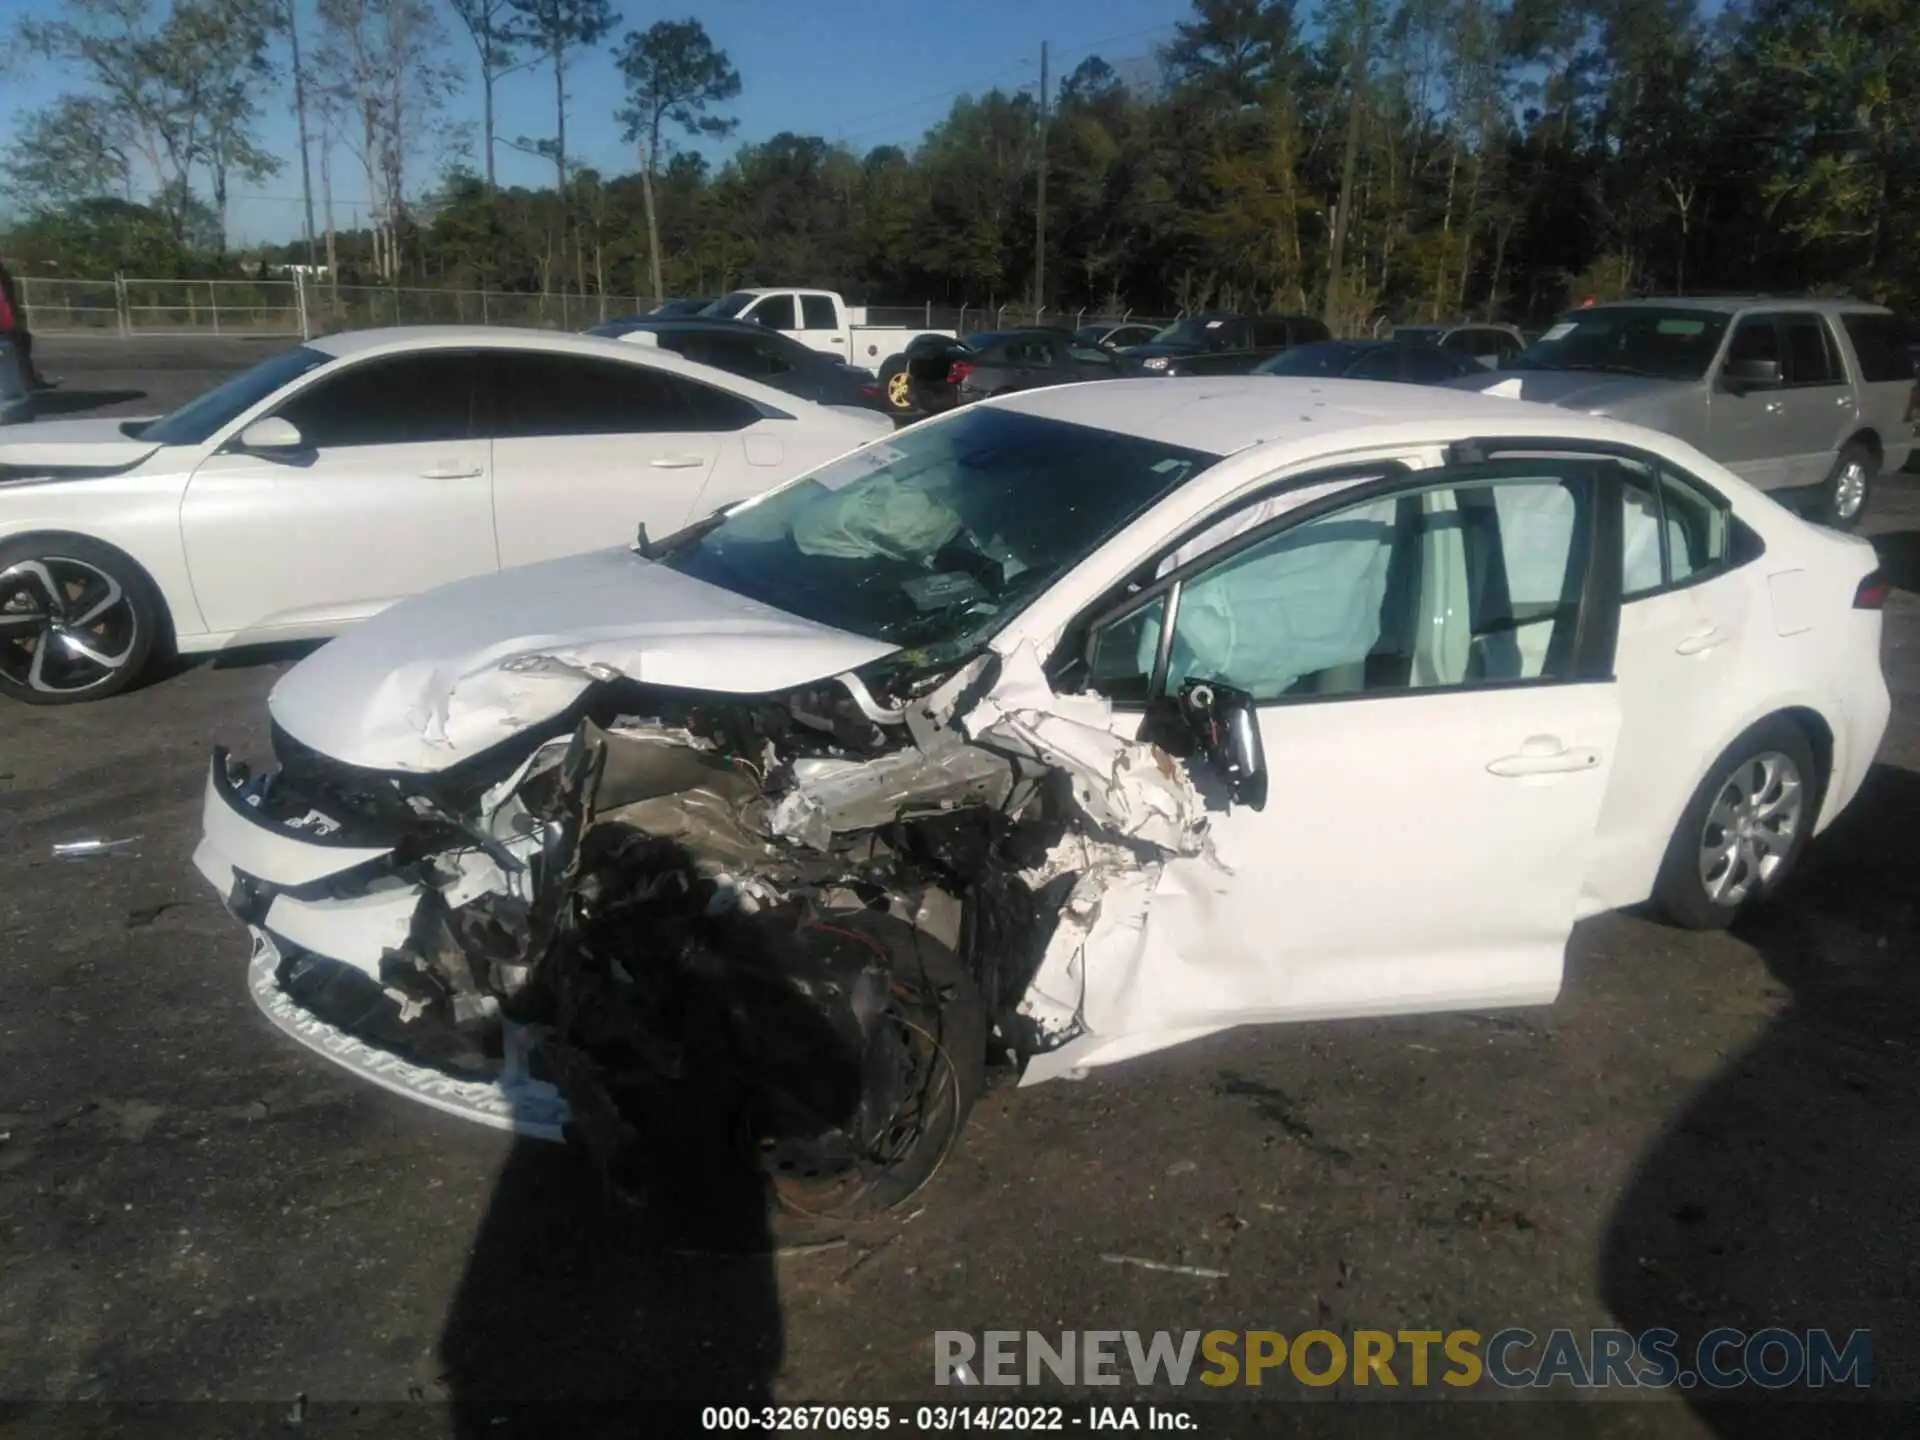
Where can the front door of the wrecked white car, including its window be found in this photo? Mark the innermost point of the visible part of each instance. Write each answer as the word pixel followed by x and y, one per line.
pixel 1431 673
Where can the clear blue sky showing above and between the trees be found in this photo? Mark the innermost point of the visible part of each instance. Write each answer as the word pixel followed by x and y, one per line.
pixel 865 72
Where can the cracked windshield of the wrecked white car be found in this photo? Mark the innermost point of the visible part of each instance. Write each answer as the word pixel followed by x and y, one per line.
pixel 940 537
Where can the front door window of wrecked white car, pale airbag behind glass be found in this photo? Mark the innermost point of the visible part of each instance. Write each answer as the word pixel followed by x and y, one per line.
pixel 1452 585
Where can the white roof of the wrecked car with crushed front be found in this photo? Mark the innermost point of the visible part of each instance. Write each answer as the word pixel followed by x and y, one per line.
pixel 1230 414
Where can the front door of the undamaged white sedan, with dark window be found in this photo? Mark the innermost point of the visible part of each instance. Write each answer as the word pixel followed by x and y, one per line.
pixel 389 496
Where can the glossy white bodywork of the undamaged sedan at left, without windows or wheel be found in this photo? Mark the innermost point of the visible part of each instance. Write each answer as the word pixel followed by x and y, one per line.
pixel 254 550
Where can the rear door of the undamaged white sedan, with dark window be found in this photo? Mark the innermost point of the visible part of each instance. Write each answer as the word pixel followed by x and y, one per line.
pixel 587 450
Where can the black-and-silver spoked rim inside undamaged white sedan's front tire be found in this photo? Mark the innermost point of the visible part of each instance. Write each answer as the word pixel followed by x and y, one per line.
pixel 66 627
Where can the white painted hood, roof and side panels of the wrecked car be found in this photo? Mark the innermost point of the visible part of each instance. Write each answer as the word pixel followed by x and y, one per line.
pixel 1391 869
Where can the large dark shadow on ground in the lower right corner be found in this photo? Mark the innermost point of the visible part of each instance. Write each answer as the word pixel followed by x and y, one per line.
pixel 1785 1193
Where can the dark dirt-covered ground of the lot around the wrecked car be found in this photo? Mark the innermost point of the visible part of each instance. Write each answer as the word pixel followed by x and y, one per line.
pixel 1704 1132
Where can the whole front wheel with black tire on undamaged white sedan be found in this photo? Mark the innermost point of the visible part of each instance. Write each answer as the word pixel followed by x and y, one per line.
pixel 80 621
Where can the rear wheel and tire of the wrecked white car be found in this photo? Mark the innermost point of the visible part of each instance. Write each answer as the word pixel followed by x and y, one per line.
pixel 1744 830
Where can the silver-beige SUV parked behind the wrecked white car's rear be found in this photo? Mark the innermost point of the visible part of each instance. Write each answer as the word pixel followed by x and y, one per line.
pixel 1804 398
